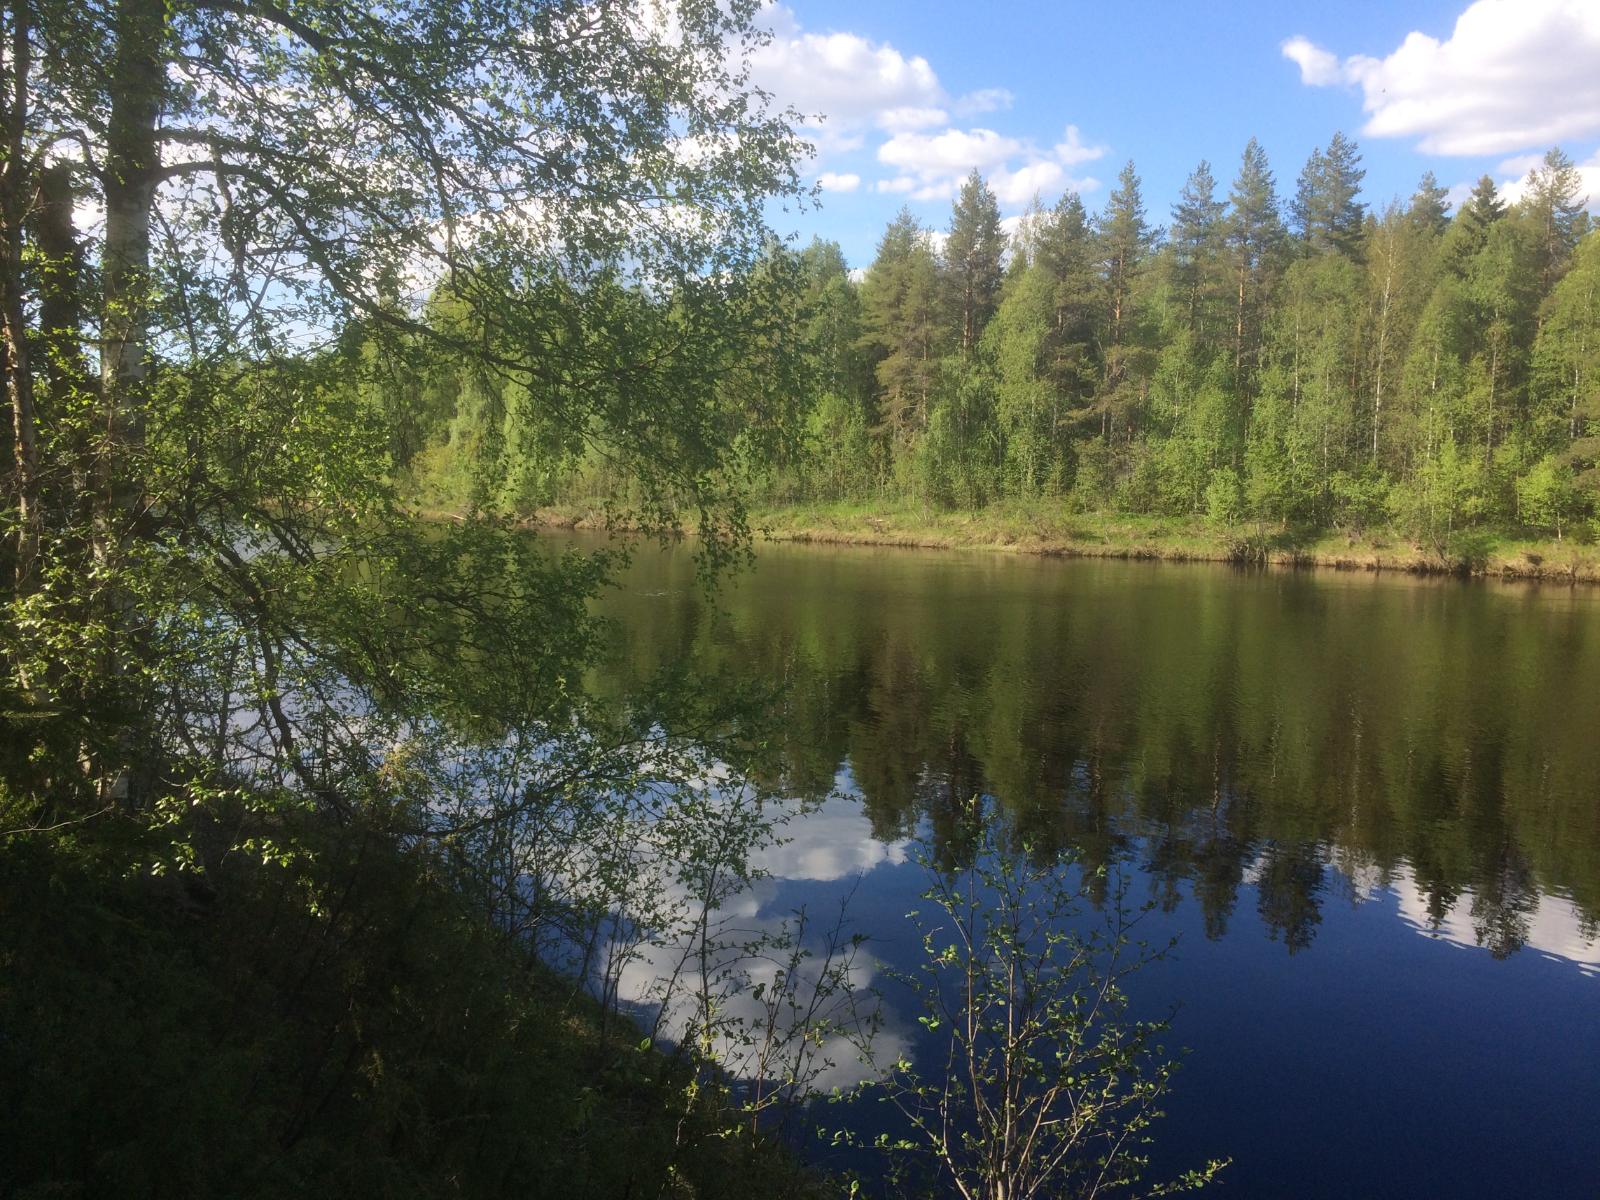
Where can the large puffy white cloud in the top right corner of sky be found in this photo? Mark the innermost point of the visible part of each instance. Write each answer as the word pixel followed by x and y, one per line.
pixel 1513 76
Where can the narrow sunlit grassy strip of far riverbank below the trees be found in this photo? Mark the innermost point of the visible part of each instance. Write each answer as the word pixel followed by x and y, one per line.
pixel 1054 530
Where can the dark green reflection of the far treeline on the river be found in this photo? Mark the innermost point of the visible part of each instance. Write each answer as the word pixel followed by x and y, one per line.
pixel 1274 740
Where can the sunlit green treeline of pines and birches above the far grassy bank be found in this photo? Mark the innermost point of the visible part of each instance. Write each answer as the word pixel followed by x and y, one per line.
pixel 1311 364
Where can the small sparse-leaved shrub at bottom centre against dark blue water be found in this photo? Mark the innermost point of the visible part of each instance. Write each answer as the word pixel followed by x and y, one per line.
pixel 1044 1084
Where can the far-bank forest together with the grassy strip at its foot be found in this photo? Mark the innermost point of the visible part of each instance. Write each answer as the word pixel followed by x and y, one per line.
pixel 1318 383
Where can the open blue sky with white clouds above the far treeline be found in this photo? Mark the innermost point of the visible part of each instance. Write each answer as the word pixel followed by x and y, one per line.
pixel 1046 97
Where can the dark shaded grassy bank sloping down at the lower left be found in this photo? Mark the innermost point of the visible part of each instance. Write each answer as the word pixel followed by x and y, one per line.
pixel 340 1025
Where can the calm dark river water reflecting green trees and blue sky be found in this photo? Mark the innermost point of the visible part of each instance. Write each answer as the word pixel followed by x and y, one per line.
pixel 1370 807
